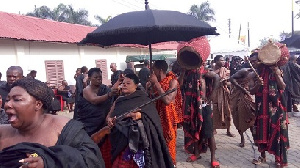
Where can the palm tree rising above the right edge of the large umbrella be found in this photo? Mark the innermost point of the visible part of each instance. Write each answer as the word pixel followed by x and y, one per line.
pixel 203 12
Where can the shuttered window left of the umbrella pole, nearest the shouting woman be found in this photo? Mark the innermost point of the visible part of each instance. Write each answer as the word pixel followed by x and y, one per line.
pixel 55 72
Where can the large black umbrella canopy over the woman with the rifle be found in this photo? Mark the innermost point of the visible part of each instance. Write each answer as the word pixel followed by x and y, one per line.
pixel 148 27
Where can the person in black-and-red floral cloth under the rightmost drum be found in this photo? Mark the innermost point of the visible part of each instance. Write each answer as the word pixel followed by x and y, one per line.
pixel 270 112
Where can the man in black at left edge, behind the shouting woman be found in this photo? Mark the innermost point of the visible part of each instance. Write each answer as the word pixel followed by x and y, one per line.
pixel 13 74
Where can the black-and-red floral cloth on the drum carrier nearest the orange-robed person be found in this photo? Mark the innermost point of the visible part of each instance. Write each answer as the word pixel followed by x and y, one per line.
pixel 192 109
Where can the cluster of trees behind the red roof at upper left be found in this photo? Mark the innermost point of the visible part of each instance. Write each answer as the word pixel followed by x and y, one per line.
pixel 62 13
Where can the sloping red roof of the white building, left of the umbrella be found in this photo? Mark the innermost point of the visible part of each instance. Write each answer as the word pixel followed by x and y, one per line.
pixel 29 28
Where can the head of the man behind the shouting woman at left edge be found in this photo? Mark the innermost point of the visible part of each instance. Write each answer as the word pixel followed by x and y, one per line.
pixel 13 74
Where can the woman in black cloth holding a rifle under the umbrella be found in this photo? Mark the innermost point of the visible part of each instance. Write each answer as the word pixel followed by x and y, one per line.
pixel 137 141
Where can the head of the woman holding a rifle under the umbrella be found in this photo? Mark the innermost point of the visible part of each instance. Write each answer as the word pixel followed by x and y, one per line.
pixel 130 84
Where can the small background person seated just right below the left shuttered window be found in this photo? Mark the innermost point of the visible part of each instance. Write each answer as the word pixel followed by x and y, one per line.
pixel 65 91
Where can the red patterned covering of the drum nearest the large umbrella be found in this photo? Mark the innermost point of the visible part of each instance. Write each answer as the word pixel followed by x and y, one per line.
pixel 200 44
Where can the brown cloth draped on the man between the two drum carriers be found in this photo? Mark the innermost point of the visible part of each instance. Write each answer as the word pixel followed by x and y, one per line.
pixel 220 99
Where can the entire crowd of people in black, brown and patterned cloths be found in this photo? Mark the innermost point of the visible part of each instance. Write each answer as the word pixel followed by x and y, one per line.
pixel 143 134
